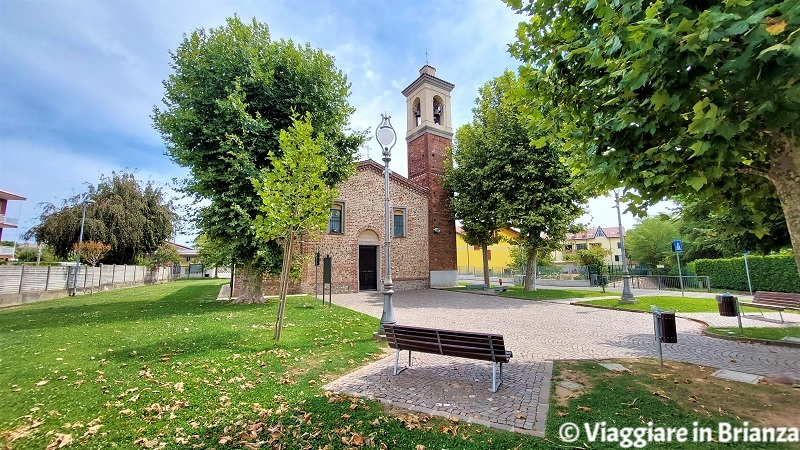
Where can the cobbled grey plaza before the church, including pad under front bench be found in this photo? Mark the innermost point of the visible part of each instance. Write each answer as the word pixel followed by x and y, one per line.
pixel 538 332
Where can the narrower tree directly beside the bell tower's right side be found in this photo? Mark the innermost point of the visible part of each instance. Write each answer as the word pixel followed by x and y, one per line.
pixel 470 181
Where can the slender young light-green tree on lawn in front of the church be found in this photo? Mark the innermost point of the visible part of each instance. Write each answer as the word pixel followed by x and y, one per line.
pixel 295 197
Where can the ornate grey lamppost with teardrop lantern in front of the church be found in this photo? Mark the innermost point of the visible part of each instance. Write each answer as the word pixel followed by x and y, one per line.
pixel 387 138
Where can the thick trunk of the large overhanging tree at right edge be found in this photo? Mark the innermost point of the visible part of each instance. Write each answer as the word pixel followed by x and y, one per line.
pixel 785 175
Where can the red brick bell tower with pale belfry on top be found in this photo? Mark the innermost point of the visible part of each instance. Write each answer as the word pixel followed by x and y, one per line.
pixel 430 133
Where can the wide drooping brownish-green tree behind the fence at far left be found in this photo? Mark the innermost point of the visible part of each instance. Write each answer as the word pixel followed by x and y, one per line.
pixel 134 219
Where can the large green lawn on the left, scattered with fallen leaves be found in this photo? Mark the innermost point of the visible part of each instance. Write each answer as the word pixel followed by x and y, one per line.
pixel 168 366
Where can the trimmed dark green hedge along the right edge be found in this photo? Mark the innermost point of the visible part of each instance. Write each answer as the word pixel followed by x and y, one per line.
pixel 767 273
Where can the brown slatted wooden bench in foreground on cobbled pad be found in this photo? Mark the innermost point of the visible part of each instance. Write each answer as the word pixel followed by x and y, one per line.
pixel 462 344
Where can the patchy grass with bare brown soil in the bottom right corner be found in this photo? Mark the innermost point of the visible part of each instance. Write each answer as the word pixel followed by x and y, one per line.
pixel 675 395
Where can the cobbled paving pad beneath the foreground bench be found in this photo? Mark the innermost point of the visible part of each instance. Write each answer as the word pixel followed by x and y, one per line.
pixel 459 388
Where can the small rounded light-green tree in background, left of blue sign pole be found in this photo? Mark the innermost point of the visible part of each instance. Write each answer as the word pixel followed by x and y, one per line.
pixel 650 241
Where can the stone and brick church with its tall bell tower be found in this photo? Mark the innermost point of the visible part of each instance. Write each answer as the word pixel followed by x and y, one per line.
pixel 423 241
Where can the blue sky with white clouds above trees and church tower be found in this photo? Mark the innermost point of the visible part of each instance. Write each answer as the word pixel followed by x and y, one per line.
pixel 79 79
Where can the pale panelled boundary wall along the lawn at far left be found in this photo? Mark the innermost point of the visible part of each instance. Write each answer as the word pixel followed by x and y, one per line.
pixel 24 279
